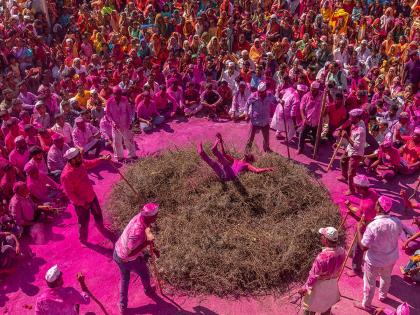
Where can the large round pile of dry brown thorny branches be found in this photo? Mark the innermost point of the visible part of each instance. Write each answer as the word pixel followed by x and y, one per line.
pixel 253 236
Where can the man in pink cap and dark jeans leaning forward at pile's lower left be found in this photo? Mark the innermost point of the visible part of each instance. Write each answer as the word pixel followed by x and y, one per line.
pixel 128 253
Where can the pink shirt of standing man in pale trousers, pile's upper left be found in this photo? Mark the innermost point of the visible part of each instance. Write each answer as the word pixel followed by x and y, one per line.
pixel 119 113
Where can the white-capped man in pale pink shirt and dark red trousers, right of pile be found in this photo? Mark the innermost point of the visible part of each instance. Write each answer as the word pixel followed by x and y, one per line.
pixel 355 149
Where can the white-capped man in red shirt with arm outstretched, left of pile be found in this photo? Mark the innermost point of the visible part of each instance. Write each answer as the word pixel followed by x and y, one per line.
pixel 78 189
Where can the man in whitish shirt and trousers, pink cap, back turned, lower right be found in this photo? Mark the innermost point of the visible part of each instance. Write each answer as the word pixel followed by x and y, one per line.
pixel 380 241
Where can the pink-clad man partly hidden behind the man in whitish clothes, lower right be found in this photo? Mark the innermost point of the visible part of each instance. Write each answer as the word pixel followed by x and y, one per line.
pixel 365 210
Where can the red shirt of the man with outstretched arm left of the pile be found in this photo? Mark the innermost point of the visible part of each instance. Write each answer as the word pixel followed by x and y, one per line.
pixel 76 183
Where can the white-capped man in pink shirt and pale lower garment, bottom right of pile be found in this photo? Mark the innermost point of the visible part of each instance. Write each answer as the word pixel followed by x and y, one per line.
pixel 321 288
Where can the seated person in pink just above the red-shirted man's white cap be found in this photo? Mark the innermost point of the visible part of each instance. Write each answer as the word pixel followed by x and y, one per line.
pixel 86 137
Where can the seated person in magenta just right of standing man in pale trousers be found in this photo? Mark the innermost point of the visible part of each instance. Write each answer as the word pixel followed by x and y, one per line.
pixel 147 113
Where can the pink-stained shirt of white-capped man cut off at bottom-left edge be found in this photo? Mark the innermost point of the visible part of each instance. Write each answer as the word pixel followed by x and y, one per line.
pixel 60 301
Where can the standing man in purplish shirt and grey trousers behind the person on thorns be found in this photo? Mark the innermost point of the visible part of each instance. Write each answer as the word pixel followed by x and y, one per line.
pixel 259 106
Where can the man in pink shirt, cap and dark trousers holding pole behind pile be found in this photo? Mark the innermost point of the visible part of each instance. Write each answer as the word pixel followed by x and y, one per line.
pixel 310 110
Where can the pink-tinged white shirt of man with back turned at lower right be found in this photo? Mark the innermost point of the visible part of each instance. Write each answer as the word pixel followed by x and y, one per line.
pixel 381 239
